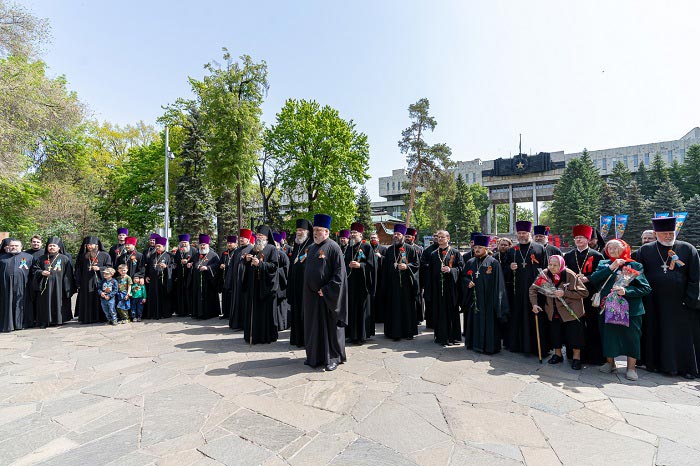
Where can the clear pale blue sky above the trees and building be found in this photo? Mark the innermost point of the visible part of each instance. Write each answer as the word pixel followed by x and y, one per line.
pixel 567 75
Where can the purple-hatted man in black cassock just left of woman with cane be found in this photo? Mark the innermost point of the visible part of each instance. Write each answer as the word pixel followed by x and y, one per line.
pixel 528 257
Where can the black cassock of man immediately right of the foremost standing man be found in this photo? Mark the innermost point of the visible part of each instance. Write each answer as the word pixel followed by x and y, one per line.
pixel 362 284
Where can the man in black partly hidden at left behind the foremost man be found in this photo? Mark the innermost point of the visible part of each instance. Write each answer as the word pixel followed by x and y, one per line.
pixel 295 283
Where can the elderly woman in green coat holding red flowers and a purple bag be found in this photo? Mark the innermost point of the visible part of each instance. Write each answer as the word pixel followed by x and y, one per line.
pixel 620 336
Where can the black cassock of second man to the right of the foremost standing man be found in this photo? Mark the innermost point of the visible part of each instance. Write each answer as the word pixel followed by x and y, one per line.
pixel 399 291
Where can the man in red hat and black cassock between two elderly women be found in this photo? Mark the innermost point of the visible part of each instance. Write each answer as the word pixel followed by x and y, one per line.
pixel 583 261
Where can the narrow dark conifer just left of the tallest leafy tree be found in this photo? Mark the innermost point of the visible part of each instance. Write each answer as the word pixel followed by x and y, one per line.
pixel 194 204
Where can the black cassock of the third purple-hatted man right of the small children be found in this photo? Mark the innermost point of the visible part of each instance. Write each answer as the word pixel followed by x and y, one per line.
pixel 205 290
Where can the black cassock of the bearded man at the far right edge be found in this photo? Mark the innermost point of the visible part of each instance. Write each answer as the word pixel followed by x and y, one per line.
pixel 671 322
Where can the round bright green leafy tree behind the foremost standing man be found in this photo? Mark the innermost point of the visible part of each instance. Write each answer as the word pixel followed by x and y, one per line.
pixel 324 156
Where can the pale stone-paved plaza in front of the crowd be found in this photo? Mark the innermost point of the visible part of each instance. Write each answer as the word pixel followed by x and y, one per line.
pixel 178 392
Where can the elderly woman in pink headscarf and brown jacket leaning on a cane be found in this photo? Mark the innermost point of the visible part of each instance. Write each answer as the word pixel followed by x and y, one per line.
pixel 564 310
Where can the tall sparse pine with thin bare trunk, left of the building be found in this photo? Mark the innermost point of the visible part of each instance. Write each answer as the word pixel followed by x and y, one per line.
pixel 425 164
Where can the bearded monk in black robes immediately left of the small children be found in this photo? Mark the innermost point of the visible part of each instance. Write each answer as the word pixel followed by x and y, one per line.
pixel 90 263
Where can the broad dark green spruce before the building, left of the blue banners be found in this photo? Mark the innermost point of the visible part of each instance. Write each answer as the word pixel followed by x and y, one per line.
pixel 577 195
